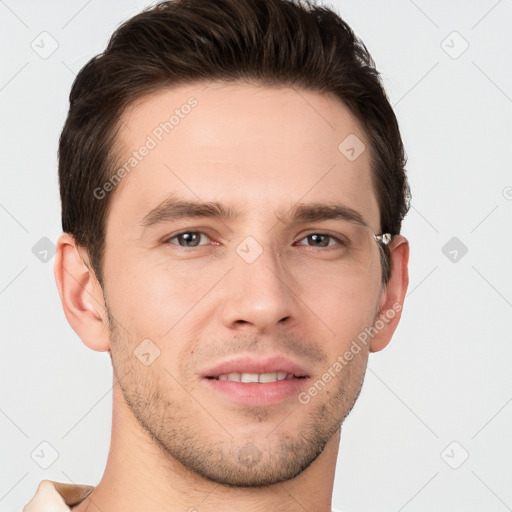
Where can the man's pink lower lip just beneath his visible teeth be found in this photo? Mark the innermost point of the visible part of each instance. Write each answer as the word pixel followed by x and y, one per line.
pixel 258 393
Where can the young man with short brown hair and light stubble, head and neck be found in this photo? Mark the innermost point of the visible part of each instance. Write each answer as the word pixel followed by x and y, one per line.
pixel 233 186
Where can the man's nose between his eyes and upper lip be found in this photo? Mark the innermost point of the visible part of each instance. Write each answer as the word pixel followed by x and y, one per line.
pixel 260 294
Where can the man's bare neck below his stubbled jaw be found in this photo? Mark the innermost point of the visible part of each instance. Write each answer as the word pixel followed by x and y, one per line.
pixel 140 475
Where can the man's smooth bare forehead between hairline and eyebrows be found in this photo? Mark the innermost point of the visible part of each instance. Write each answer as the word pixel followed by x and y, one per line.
pixel 244 145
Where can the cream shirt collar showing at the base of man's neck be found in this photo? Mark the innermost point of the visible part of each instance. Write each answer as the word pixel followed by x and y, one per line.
pixel 59 497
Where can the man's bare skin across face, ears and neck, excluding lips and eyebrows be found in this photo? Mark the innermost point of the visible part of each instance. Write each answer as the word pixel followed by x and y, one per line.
pixel 177 444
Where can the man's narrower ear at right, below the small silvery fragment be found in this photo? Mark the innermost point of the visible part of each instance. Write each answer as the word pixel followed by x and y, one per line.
pixel 393 295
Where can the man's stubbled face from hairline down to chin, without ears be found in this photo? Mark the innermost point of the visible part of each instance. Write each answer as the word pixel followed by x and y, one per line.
pixel 253 285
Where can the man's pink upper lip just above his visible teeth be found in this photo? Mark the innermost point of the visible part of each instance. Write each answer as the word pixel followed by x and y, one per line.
pixel 248 364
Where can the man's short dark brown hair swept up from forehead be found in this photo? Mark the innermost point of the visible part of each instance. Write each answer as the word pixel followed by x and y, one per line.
pixel 270 42
